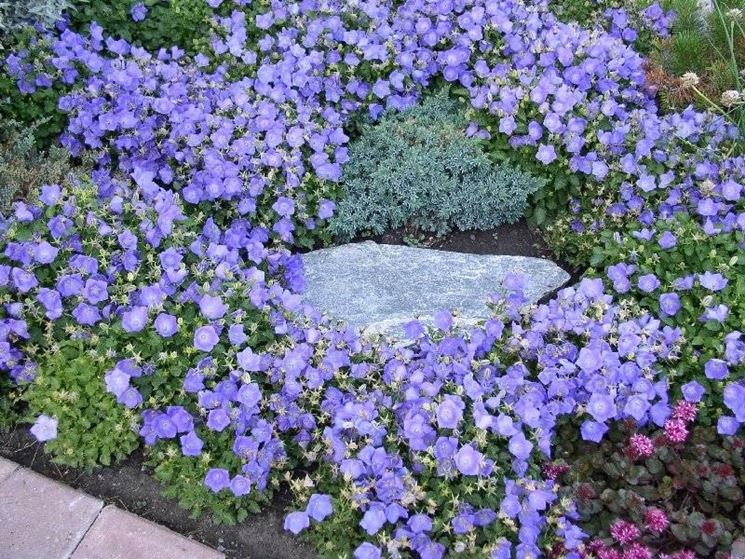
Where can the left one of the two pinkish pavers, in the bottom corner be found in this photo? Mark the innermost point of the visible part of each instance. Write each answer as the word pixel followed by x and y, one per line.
pixel 40 518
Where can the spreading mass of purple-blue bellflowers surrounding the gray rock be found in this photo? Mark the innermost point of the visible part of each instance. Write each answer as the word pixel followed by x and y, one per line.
pixel 169 274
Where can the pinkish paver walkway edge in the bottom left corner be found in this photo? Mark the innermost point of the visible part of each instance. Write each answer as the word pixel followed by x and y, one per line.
pixel 43 519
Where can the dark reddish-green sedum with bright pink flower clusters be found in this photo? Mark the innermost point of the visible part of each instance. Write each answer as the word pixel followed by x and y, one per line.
pixel 682 485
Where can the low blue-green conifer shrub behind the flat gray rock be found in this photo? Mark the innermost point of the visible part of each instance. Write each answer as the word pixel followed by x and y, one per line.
pixel 418 169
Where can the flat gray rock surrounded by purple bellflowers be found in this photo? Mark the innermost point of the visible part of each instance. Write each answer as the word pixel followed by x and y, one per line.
pixel 378 288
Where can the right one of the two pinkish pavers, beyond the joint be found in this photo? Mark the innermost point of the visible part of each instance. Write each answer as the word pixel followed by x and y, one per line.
pixel 118 534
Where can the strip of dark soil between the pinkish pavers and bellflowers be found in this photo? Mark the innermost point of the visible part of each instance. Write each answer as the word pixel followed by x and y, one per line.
pixel 129 486
